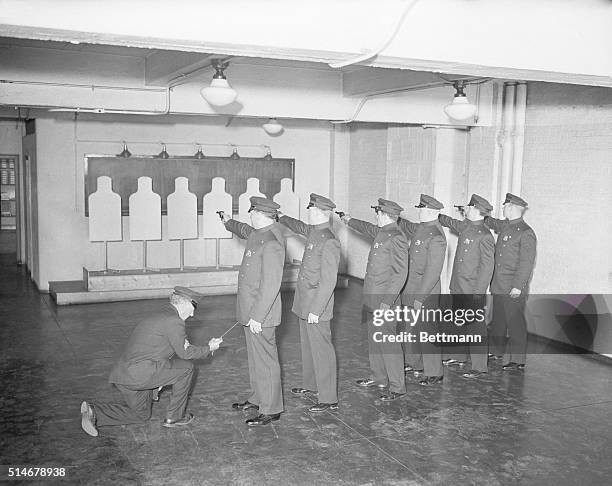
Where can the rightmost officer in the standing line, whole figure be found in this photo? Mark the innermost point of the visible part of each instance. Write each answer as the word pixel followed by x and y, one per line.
pixel 515 253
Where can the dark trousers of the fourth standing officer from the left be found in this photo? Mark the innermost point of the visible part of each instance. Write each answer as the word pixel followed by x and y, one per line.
pixel 425 356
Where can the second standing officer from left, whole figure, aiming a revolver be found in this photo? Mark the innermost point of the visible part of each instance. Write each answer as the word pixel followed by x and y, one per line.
pixel 313 302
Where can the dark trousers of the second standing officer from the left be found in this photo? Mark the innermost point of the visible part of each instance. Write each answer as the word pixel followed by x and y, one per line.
pixel 319 360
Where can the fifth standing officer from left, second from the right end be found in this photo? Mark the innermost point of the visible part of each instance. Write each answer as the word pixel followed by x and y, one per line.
pixel 472 272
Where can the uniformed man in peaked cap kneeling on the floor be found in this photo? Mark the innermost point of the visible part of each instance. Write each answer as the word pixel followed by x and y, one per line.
pixel 158 354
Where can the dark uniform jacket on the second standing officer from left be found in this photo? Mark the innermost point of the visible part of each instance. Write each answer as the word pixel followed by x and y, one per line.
pixel 318 274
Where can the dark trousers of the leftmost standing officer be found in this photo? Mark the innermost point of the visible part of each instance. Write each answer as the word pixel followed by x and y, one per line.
pixel 264 370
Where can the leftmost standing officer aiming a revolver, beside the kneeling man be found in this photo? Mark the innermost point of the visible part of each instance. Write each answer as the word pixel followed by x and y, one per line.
pixel 258 306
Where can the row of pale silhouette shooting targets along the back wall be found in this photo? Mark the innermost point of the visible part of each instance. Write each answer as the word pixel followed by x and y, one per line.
pixel 145 213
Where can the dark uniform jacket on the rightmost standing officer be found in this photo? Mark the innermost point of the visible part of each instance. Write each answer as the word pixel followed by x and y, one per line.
pixel 515 253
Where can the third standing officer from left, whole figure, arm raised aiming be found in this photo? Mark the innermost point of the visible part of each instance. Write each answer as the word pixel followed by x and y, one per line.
pixel 386 273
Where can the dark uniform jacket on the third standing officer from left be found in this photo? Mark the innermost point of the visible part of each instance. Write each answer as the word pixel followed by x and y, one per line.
pixel 387 266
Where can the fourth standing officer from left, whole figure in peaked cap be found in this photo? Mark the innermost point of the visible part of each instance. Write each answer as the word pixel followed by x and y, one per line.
pixel 422 290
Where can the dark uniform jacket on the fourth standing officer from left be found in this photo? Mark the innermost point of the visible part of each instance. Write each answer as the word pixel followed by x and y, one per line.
pixel 427 253
